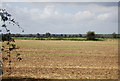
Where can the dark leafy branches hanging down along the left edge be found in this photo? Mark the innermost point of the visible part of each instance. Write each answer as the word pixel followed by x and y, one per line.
pixel 9 45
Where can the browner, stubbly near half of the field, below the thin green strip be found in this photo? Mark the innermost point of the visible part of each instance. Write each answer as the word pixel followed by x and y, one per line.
pixel 66 67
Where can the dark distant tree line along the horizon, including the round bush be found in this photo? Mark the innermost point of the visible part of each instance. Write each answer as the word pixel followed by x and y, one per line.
pixel 90 35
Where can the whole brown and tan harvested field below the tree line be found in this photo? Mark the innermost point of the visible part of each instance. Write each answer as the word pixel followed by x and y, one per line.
pixel 63 59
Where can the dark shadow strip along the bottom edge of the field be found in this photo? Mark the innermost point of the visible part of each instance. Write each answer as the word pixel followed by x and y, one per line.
pixel 30 79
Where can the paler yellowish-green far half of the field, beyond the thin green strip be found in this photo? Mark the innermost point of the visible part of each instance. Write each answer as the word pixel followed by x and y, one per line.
pixel 83 48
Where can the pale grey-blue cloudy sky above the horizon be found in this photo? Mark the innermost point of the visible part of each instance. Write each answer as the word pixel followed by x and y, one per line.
pixel 64 17
